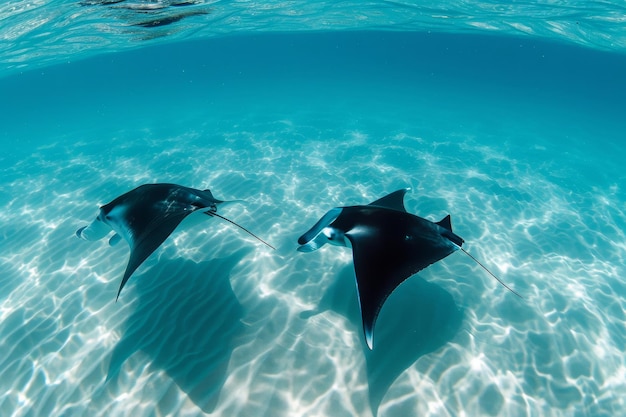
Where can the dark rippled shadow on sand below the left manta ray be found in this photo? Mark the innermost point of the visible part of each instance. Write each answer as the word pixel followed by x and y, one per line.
pixel 188 322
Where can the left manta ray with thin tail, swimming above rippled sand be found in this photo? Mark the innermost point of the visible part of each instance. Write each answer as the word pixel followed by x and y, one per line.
pixel 147 215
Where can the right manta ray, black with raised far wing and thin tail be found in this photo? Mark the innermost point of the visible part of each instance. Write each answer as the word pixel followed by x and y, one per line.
pixel 388 246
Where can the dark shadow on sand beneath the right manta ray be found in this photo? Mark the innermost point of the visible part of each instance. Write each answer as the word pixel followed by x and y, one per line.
pixel 419 318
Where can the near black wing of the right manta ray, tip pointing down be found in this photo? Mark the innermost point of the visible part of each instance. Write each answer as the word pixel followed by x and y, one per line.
pixel 388 247
